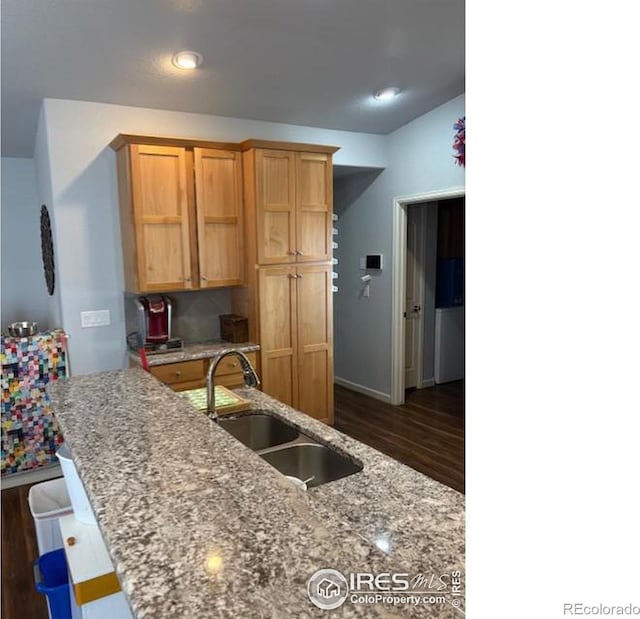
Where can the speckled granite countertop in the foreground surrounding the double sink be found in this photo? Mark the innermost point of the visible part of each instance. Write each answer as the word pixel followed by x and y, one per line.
pixel 198 525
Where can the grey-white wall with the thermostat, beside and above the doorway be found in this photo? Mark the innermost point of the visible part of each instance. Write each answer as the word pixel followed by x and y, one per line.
pixel 420 159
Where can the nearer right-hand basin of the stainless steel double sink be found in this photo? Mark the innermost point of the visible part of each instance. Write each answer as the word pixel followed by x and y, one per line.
pixel 310 460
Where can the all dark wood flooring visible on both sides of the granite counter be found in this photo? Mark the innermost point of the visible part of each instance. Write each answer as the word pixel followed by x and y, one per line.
pixel 426 433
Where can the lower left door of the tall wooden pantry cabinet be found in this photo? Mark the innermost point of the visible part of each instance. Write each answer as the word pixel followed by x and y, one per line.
pixel 278 333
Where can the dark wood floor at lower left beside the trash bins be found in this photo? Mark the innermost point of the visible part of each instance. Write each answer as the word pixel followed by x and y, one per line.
pixel 19 548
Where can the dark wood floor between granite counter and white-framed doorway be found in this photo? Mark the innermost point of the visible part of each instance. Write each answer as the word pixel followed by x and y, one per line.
pixel 426 433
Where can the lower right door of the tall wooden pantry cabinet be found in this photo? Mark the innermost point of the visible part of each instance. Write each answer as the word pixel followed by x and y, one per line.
pixel 315 341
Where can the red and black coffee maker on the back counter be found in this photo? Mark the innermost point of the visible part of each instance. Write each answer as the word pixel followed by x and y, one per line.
pixel 154 316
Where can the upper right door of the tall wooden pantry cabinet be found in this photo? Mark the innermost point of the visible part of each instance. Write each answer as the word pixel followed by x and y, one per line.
pixel 314 200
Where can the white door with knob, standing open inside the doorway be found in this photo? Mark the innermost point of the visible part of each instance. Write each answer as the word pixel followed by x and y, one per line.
pixel 414 297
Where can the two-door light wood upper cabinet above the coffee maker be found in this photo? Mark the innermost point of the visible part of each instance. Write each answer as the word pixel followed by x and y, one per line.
pixel 180 215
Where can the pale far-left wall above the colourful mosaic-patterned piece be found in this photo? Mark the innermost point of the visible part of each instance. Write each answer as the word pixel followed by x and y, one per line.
pixel 24 291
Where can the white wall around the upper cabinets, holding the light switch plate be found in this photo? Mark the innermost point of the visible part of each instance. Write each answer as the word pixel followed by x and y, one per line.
pixel 85 207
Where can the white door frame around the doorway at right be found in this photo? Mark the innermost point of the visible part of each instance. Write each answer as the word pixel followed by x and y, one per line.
pixel 398 283
